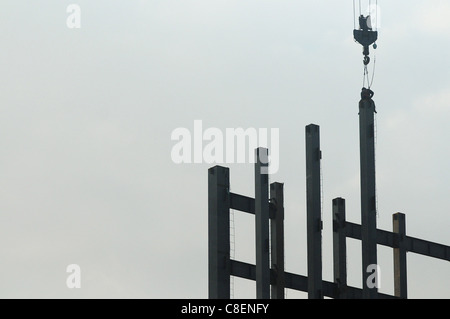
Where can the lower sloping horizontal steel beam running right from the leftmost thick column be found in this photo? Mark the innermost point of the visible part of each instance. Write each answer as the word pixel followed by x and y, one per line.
pixel 298 282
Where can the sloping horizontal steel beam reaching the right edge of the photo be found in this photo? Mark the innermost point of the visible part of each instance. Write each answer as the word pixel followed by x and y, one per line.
pixel 414 245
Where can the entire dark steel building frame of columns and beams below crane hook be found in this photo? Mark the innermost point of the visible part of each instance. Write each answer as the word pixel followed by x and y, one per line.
pixel 268 209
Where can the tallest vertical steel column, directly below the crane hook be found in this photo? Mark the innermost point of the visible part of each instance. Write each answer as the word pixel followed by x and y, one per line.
pixel 368 201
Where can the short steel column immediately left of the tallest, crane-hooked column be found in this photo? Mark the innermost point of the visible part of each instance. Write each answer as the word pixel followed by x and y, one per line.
pixel 339 247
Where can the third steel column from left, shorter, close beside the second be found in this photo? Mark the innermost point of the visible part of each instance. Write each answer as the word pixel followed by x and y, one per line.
pixel 277 239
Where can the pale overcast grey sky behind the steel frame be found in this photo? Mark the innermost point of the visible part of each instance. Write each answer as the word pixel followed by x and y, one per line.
pixel 87 115
